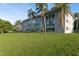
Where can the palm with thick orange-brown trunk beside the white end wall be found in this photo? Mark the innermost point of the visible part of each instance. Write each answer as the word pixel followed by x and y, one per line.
pixel 64 8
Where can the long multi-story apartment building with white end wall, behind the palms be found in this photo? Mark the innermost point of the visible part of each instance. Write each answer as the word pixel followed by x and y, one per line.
pixel 52 22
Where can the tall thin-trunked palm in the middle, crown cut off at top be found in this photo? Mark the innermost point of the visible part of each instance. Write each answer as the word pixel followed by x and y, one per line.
pixel 42 7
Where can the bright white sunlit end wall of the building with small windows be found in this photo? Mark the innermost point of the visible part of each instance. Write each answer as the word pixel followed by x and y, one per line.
pixel 69 23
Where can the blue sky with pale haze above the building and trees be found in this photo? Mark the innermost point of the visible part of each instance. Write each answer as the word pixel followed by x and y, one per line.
pixel 18 11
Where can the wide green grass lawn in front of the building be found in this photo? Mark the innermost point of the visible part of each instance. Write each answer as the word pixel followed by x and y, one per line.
pixel 39 44
